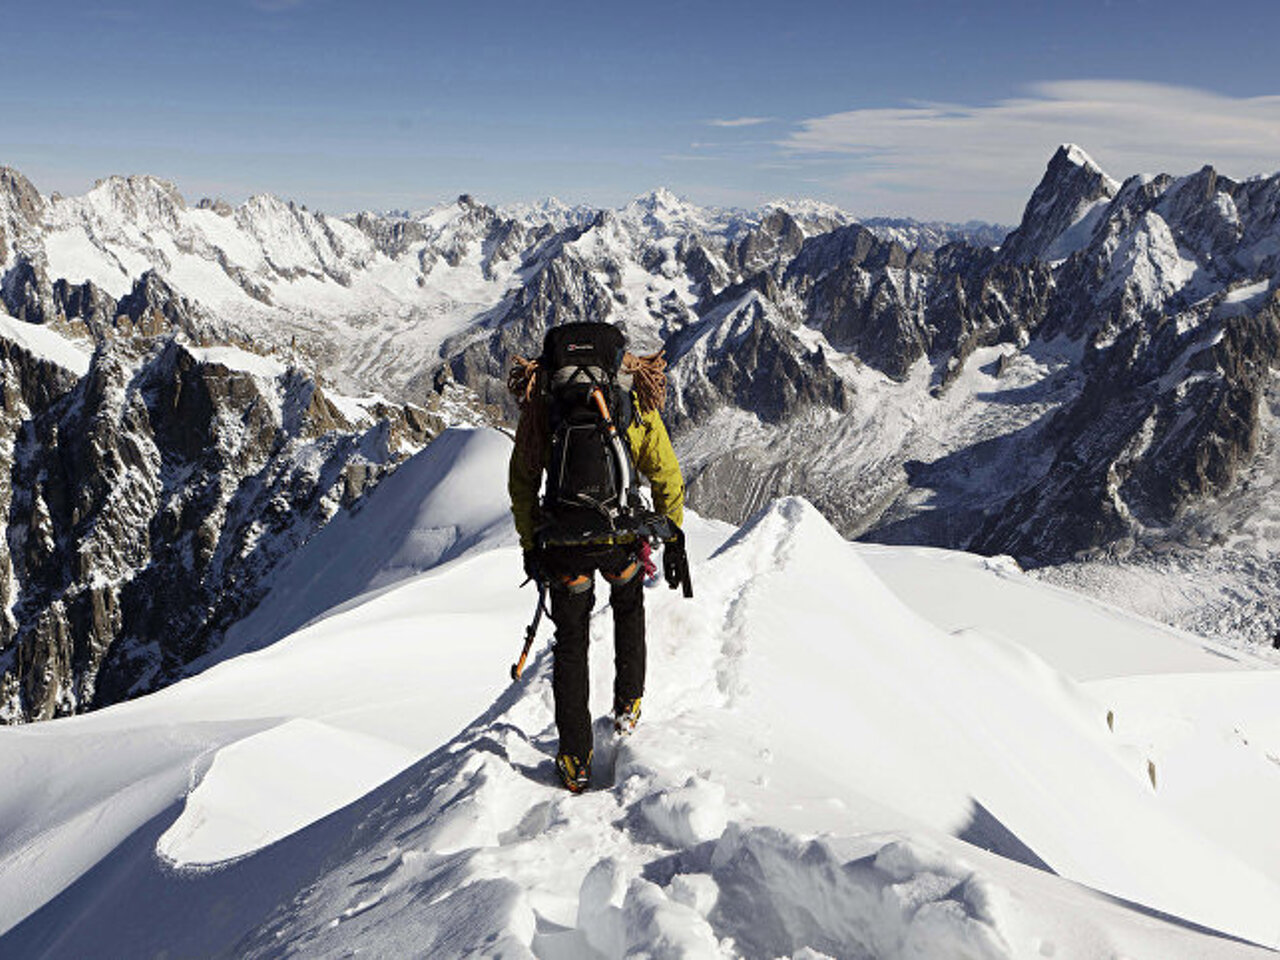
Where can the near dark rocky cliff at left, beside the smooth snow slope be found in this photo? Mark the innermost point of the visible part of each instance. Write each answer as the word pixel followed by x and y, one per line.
pixel 145 505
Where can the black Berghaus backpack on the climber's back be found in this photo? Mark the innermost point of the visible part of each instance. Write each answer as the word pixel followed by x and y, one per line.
pixel 592 487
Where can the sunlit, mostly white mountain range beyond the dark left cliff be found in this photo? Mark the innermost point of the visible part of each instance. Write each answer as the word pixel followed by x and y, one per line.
pixel 273 272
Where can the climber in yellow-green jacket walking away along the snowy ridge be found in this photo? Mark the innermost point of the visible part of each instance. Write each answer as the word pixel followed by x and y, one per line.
pixel 589 418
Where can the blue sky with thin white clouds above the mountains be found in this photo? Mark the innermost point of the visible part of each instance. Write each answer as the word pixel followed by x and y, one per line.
pixel 929 109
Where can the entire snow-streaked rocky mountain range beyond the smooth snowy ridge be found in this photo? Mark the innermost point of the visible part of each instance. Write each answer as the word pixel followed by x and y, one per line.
pixel 1094 394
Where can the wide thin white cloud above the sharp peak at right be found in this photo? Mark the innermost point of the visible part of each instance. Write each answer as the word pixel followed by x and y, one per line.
pixel 958 161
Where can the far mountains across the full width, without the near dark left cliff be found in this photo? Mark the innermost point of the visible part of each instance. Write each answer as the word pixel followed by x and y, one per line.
pixel 1095 388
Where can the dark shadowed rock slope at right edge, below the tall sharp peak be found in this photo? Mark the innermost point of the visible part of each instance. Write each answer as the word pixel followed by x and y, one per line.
pixel 1142 445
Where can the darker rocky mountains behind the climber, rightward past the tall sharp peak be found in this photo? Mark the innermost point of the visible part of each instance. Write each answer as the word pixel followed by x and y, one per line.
pixel 1076 394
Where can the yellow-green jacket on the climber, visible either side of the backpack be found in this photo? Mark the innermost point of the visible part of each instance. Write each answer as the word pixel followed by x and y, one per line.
pixel 651 450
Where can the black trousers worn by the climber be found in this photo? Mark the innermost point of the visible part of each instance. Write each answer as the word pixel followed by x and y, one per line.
pixel 572 612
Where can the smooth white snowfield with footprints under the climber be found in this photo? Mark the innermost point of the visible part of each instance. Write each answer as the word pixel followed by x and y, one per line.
pixel 847 752
